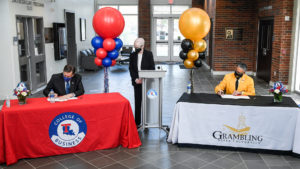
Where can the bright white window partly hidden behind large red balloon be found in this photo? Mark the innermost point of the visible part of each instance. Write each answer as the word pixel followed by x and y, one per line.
pixel 130 14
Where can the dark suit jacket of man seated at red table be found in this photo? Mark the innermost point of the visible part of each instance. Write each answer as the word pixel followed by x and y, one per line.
pixel 57 83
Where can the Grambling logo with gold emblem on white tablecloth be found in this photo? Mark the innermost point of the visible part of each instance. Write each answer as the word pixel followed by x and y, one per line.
pixel 239 134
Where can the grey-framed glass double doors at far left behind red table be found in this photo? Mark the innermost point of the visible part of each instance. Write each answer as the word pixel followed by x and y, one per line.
pixel 31 51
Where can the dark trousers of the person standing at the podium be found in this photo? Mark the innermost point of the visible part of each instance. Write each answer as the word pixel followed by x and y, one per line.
pixel 138 103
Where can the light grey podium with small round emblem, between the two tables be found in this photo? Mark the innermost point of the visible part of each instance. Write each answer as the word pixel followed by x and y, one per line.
pixel 152 91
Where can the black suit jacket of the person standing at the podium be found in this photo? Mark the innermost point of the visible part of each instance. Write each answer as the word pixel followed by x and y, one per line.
pixel 147 64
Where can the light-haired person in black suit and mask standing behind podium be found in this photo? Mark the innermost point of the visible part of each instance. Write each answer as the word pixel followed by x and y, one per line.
pixel 140 59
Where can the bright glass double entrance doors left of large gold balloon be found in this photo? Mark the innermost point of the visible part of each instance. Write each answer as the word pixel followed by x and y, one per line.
pixel 166 39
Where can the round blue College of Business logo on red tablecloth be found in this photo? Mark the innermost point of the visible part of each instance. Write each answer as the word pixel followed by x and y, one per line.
pixel 67 130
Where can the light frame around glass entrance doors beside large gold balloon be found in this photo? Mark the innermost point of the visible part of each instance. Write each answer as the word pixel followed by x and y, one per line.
pixel 170 36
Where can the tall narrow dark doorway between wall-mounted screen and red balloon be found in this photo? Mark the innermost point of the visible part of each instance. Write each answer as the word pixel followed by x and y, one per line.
pixel 71 38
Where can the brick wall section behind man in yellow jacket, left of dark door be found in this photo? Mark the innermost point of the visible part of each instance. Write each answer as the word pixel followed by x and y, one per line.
pixel 234 14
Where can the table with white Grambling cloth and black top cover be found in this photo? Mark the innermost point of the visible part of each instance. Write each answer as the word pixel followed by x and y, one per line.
pixel 257 123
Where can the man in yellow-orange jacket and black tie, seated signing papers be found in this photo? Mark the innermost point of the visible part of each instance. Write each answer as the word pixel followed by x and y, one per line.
pixel 237 83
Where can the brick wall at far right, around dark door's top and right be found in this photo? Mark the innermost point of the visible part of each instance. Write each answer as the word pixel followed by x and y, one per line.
pixel 282 35
